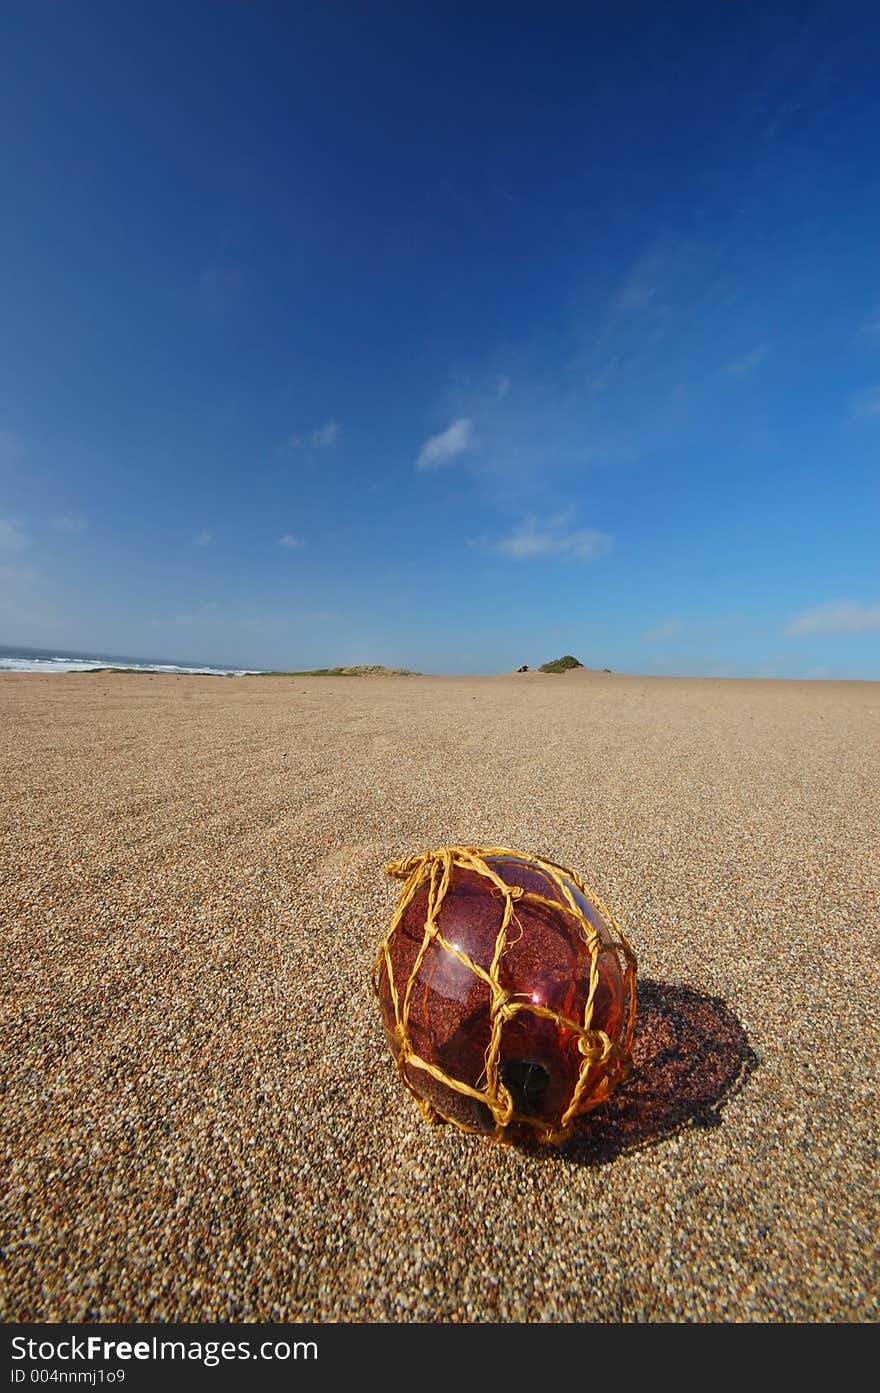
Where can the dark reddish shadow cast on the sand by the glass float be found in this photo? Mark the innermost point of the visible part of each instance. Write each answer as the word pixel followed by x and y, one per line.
pixel 690 1057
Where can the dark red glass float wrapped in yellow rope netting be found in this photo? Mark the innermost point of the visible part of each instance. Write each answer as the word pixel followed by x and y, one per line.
pixel 508 997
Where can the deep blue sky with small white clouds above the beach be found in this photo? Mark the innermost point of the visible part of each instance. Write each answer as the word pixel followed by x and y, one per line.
pixel 441 336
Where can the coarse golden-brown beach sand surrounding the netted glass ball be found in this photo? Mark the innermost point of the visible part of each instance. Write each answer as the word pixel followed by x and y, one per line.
pixel 201 1119
